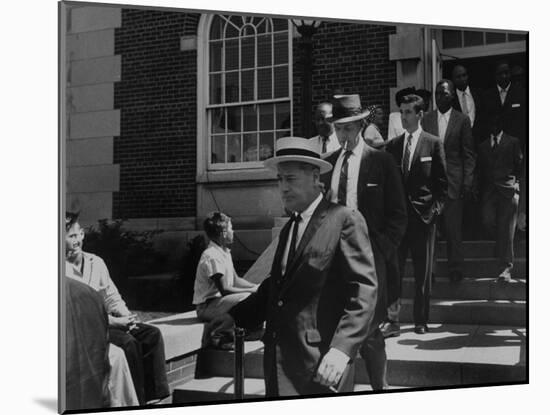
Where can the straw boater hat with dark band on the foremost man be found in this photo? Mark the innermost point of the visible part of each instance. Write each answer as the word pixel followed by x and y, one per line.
pixel 297 149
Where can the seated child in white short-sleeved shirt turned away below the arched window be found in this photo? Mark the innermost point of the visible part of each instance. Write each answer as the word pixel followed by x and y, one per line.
pixel 217 285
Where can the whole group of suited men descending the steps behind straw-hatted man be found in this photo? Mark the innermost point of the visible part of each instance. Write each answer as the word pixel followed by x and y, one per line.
pixel 355 213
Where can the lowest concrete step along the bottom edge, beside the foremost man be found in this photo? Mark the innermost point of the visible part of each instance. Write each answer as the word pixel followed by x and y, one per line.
pixel 222 388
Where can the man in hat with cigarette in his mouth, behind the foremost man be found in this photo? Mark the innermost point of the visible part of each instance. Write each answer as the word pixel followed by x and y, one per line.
pixel 368 180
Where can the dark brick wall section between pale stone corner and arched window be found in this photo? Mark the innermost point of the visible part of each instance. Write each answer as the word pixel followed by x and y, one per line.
pixel 156 149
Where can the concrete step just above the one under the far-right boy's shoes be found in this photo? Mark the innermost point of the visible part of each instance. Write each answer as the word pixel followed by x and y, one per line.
pixel 475 268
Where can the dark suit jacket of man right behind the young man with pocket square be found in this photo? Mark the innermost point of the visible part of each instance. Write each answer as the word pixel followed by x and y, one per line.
pixel 458 143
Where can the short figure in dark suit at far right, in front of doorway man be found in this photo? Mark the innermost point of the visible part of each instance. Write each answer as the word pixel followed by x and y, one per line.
pixel 500 168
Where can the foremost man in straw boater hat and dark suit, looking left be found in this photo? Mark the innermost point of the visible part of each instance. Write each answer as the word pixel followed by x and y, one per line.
pixel 319 299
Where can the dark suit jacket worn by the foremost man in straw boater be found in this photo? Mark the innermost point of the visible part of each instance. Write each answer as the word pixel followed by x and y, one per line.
pixel 325 299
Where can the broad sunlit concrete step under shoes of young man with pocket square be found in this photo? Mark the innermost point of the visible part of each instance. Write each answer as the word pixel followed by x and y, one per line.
pixel 447 355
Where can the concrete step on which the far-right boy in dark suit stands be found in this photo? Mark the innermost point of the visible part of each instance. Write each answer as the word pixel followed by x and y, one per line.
pixel 471 289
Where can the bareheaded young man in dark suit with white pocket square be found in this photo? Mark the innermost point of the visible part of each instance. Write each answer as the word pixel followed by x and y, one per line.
pixel 421 159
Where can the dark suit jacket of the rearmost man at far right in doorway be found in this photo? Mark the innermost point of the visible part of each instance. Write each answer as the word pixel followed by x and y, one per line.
pixel 513 112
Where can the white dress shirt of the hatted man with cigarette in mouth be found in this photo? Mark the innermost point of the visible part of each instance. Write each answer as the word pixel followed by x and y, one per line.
pixel 354 163
